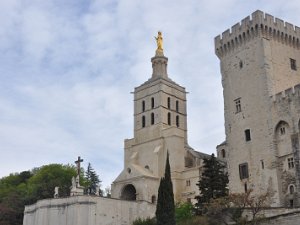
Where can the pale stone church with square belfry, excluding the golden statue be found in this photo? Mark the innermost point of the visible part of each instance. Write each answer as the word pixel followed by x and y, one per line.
pixel 160 126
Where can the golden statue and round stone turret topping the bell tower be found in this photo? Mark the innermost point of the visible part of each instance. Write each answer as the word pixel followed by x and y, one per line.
pixel 159 61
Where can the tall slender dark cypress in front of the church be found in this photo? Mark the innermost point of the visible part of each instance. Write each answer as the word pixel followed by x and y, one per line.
pixel 165 208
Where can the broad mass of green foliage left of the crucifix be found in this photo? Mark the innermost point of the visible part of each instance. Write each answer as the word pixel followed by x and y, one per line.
pixel 19 189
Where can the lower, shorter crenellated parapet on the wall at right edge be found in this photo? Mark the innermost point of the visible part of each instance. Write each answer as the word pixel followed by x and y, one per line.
pixel 290 94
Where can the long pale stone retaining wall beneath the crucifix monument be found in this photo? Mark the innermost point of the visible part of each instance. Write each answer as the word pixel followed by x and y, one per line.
pixel 86 210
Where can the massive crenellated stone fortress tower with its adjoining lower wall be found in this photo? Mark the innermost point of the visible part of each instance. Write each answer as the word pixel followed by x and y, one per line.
pixel 259 60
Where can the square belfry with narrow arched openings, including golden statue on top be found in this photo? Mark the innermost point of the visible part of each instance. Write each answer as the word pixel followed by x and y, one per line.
pixel 159 103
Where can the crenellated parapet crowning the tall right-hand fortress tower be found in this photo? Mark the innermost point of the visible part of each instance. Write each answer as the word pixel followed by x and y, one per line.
pixel 259 25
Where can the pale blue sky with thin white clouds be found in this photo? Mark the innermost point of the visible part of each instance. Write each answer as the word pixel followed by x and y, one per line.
pixel 67 68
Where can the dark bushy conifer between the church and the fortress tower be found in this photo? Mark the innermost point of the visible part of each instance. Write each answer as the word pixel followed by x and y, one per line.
pixel 213 182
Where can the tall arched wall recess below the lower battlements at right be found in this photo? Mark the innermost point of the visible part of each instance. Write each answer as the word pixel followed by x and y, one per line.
pixel 282 138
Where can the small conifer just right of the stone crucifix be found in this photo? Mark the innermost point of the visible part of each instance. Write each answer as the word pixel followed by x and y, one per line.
pixel 92 181
